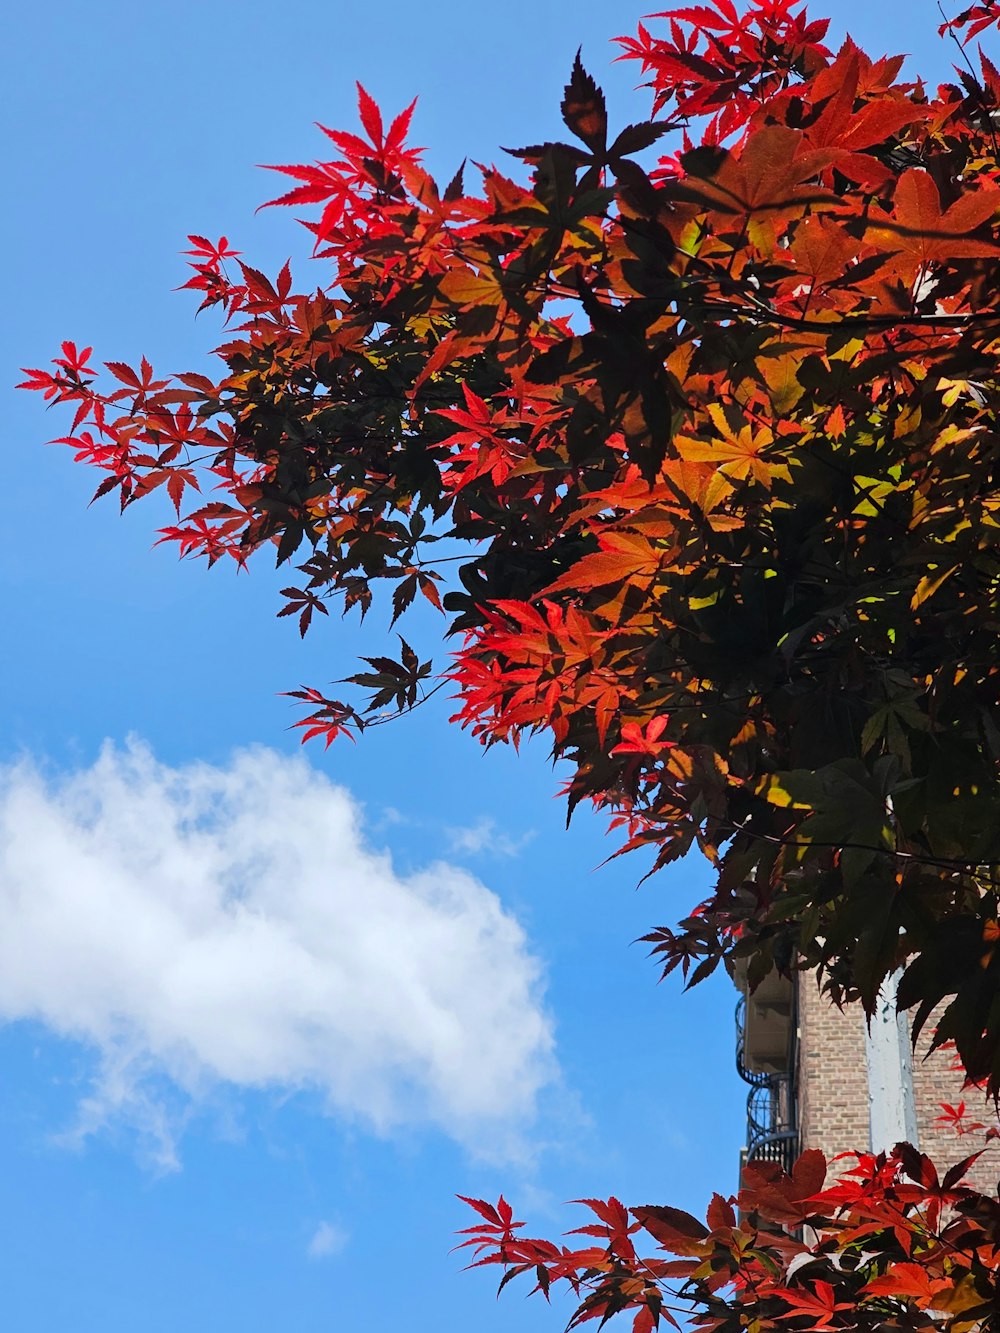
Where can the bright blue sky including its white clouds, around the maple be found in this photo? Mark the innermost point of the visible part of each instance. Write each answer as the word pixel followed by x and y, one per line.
pixel 218 1116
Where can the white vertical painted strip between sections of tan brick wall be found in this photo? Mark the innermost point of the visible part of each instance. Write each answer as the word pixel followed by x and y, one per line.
pixel 891 1107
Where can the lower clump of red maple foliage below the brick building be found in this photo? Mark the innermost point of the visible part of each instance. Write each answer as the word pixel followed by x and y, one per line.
pixel 891 1247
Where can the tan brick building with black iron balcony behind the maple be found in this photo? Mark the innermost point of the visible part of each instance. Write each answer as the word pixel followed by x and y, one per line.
pixel 814 1082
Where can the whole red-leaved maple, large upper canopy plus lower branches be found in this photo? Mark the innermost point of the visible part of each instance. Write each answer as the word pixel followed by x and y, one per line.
pixel 711 441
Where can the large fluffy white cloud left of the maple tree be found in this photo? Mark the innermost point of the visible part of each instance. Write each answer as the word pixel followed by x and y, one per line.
pixel 211 927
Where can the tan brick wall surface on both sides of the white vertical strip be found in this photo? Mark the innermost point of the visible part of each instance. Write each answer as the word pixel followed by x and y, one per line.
pixel 834 1090
